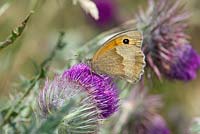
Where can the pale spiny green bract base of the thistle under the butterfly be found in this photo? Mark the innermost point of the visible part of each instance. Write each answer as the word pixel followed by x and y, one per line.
pixel 83 115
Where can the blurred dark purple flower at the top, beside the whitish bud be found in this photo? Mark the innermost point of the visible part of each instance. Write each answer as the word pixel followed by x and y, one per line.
pixel 107 13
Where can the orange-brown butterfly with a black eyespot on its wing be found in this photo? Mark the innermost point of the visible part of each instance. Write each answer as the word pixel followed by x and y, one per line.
pixel 121 56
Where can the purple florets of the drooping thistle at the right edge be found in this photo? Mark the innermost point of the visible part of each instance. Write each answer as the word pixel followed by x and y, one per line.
pixel 185 63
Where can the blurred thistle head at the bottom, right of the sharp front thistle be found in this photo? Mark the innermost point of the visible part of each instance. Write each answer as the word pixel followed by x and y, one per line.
pixel 145 119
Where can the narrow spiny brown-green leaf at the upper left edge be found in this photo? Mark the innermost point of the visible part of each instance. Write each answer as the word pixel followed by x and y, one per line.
pixel 15 33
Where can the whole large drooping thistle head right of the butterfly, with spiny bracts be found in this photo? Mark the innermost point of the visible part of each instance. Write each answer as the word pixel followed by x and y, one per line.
pixel 165 40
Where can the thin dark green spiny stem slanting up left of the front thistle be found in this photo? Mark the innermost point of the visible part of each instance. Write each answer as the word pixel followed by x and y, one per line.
pixel 12 111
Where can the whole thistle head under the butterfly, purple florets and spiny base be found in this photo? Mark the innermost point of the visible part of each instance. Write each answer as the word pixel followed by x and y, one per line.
pixel 95 95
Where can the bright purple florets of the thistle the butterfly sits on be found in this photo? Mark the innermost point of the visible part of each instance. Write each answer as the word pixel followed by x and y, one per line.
pixel 101 87
